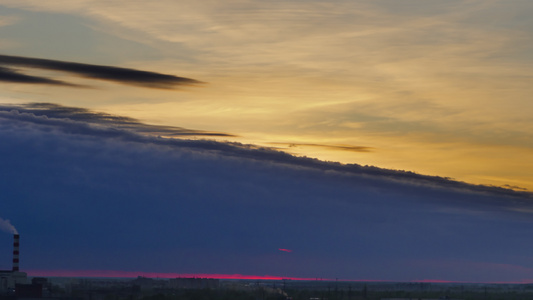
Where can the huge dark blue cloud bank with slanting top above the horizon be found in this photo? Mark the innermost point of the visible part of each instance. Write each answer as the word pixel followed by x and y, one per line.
pixel 85 193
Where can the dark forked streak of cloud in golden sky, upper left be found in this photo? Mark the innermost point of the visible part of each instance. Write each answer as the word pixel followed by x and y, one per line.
pixel 108 73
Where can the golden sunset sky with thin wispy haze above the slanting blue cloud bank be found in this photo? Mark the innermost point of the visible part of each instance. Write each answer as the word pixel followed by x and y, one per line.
pixel 436 87
